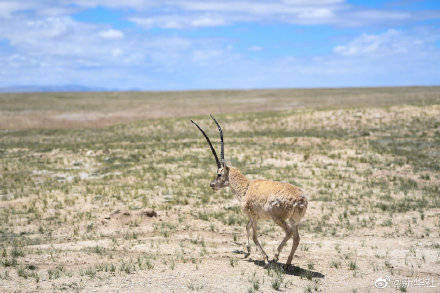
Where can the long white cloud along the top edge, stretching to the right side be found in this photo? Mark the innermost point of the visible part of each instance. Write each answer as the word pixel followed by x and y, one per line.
pixel 292 11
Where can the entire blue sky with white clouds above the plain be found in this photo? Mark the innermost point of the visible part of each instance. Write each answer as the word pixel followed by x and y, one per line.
pixel 204 44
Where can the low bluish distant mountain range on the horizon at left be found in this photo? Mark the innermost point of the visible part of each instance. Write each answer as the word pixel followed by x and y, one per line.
pixel 50 88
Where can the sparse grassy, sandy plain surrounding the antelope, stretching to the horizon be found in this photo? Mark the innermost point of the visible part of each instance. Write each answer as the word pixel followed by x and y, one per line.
pixel 73 200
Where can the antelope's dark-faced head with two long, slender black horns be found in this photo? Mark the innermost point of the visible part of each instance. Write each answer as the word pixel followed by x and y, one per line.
pixel 221 179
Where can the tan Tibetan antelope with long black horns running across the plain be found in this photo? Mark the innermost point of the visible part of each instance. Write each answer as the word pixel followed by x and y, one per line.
pixel 282 202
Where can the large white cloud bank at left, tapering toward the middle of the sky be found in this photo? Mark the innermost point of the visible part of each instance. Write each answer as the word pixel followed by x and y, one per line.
pixel 62 41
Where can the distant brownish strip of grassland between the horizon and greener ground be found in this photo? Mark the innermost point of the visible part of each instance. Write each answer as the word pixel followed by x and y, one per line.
pixel 73 110
